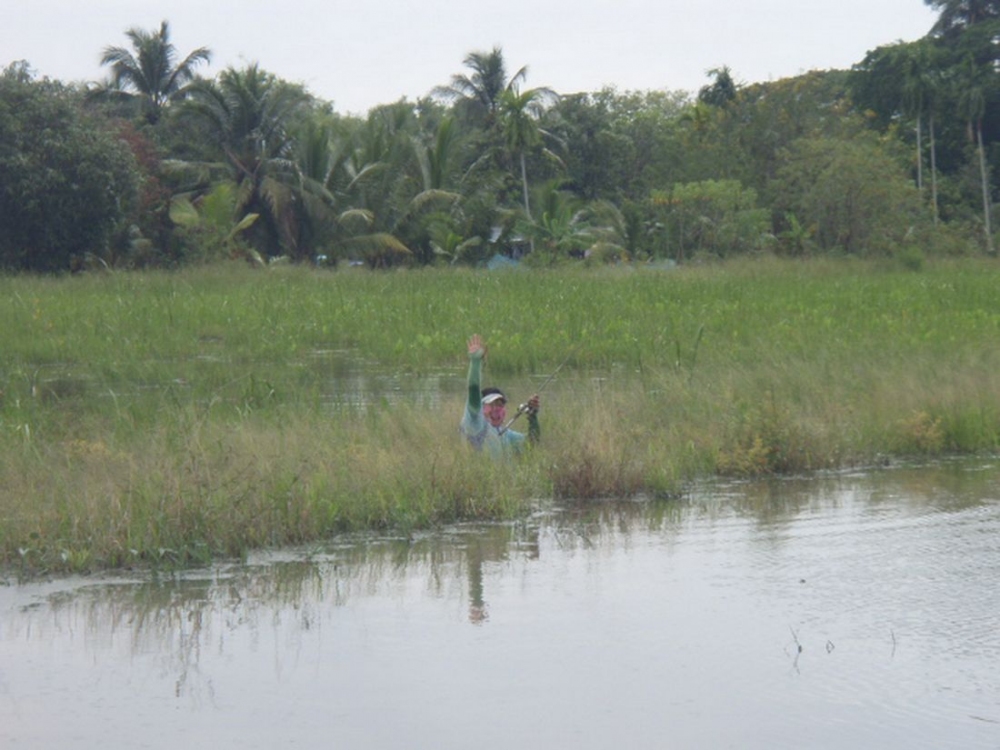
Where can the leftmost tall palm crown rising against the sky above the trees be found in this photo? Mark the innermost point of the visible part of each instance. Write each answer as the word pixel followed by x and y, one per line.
pixel 151 72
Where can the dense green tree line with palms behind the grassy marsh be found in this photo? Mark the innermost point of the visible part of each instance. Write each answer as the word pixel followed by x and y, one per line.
pixel 159 166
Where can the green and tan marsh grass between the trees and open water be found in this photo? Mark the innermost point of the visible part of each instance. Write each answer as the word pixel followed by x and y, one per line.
pixel 174 418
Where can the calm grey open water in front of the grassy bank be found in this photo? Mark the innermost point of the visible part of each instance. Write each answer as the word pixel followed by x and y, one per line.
pixel 850 611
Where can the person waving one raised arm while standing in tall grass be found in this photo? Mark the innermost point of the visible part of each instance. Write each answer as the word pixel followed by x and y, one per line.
pixel 486 412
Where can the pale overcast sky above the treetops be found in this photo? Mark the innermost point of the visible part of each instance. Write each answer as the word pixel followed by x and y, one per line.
pixel 360 53
